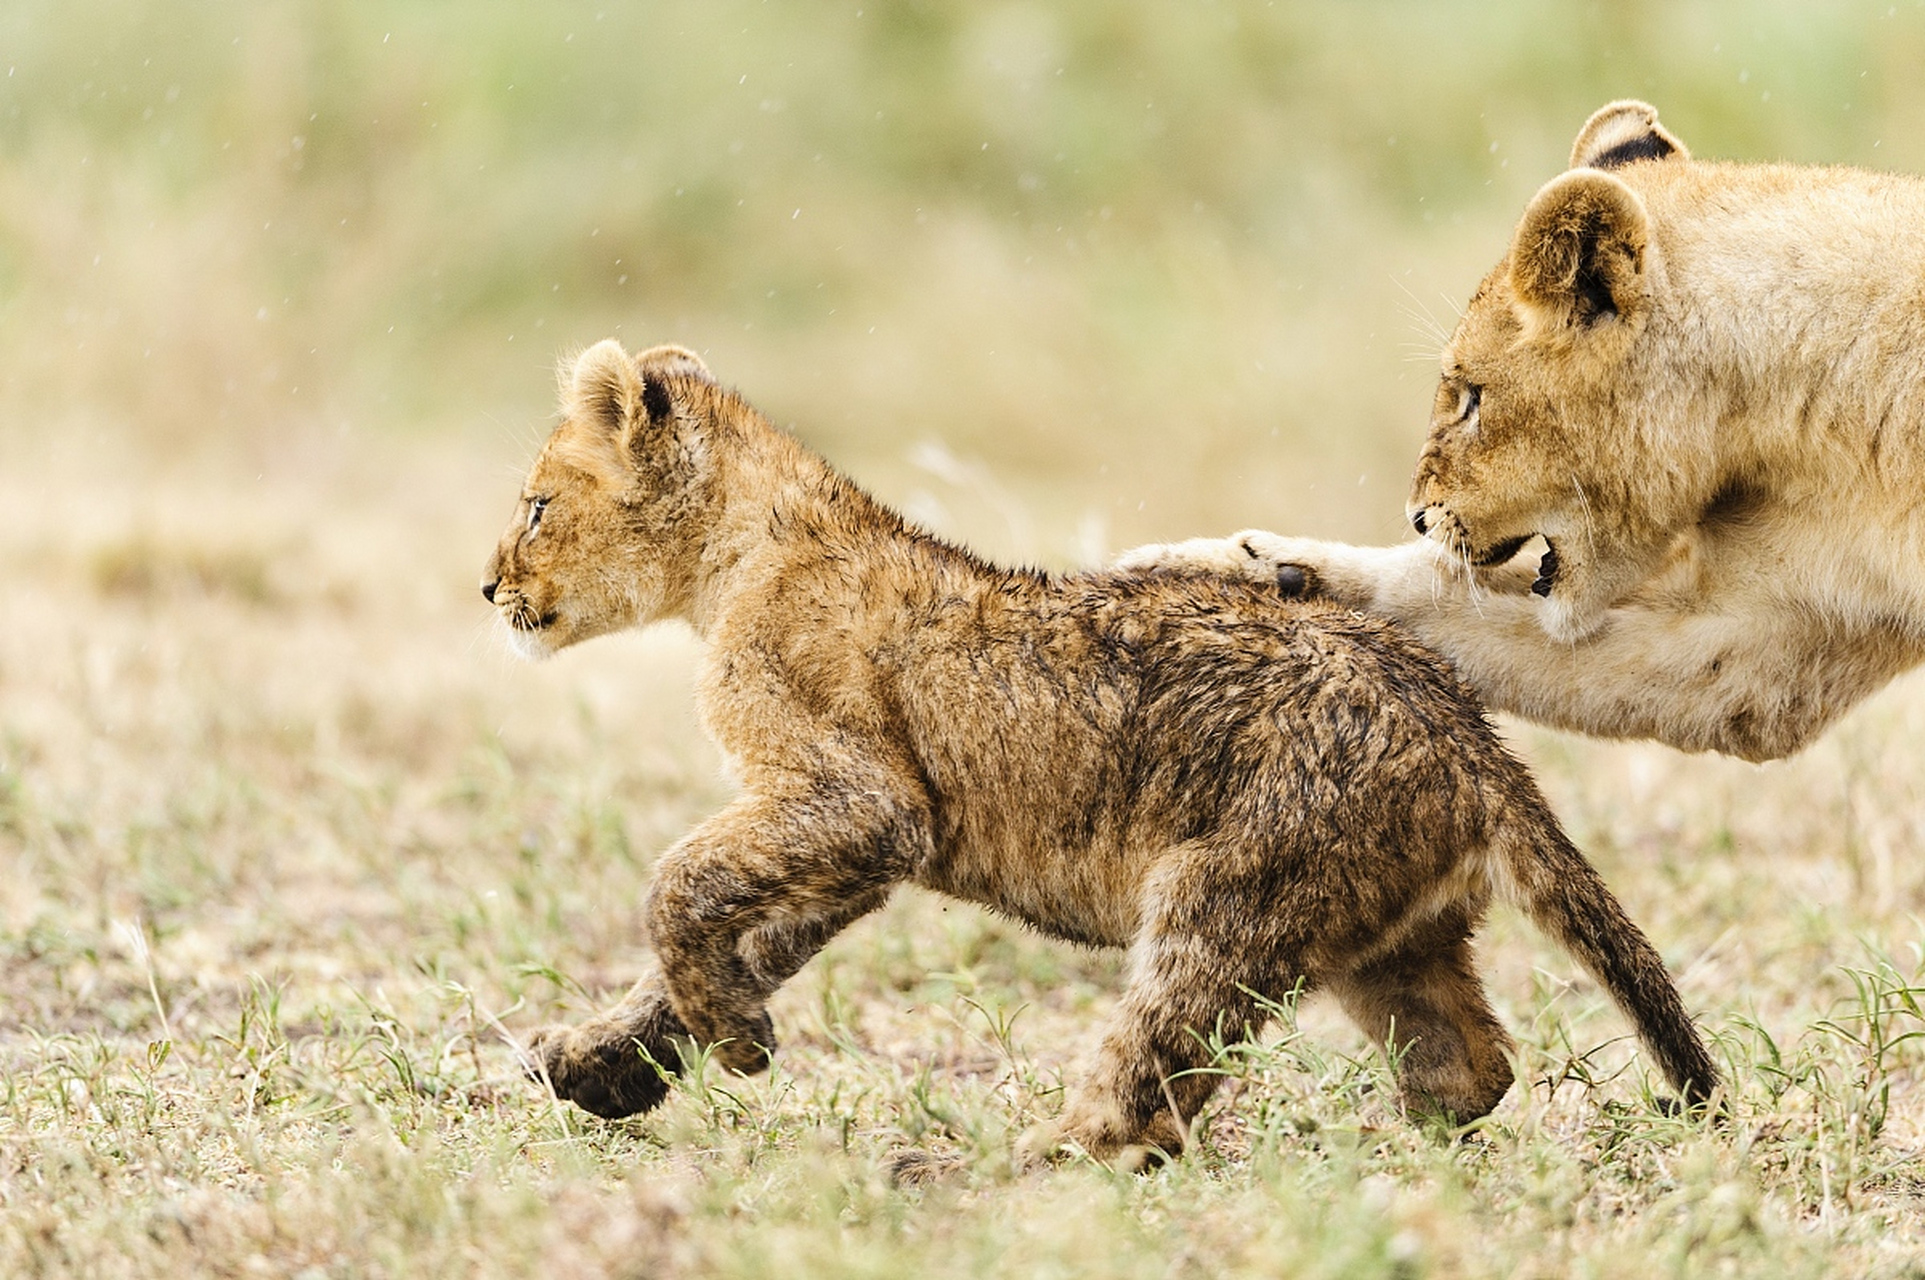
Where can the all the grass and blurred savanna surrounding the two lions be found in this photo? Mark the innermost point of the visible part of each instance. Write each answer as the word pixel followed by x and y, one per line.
pixel 292 850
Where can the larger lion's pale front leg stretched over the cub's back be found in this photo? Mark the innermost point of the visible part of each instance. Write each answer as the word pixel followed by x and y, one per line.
pixel 1751 671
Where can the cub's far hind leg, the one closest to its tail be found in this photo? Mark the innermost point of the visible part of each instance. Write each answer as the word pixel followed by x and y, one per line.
pixel 1427 998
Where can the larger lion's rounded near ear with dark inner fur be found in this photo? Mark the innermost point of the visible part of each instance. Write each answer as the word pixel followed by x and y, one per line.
pixel 1579 253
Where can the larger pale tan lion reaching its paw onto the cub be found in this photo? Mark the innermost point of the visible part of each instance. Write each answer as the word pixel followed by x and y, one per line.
pixel 1705 388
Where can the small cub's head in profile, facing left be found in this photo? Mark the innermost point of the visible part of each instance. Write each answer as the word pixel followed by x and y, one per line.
pixel 609 523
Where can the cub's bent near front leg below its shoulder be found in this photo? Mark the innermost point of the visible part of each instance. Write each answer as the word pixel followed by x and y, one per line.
pixel 748 896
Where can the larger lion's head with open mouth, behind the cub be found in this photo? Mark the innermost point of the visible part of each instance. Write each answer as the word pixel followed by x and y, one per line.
pixel 1539 419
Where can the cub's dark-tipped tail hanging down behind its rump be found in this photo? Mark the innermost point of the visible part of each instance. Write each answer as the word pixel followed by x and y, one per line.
pixel 1566 896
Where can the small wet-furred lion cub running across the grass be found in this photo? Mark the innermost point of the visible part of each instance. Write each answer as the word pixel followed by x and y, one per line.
pixel 1245 792
